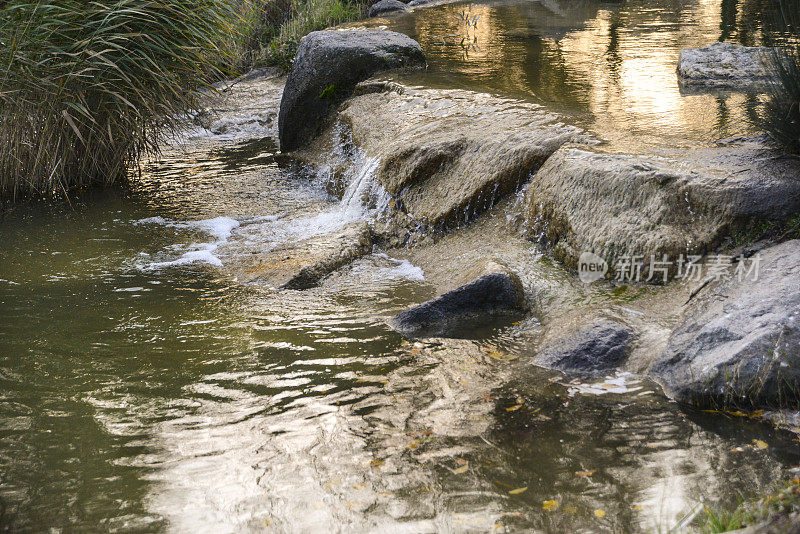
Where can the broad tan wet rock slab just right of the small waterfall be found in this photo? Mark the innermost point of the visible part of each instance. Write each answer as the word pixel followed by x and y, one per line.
pixel 448 155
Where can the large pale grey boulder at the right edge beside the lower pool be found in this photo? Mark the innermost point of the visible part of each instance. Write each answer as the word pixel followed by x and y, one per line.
pixel 739 343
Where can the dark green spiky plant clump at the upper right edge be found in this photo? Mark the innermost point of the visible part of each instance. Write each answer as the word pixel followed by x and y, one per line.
pixel 781 115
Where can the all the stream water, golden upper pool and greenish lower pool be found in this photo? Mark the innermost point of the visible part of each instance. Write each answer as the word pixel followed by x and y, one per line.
pixel 143 388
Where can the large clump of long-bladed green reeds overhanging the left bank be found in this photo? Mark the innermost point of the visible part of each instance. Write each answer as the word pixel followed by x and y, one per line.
pixel 87 87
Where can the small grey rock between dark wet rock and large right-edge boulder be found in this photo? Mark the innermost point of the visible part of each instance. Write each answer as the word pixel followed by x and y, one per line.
pixel 598 347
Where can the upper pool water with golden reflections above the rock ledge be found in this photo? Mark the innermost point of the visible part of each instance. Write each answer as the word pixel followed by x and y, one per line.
pixel 608 67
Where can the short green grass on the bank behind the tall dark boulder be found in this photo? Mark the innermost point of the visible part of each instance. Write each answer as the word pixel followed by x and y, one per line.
pixel 277 26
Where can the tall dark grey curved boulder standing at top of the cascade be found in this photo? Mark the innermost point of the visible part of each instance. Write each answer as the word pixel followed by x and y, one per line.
pixel 327 66
